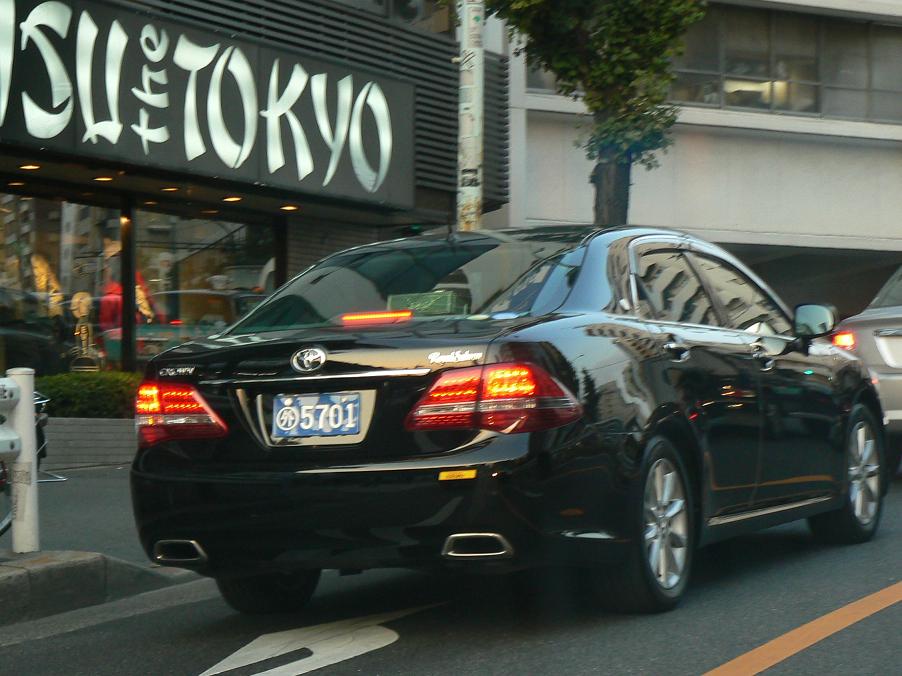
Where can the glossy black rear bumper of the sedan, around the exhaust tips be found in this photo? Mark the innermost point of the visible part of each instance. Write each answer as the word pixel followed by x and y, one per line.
pixel 361 518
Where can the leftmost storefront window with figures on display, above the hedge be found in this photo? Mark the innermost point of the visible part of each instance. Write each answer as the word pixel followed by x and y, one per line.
pixel 60 263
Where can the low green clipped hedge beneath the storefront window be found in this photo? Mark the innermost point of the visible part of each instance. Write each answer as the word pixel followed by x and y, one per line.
pixel 106 394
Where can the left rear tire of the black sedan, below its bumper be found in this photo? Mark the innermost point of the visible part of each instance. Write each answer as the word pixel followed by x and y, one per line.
pixel 269 593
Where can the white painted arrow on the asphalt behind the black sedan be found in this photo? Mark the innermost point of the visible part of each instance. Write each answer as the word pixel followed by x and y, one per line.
pixel 329 644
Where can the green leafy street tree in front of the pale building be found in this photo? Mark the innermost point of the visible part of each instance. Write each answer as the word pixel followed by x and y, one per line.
pixel 615 55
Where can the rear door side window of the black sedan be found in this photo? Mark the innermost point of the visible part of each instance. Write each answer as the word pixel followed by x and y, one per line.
pixel 672 290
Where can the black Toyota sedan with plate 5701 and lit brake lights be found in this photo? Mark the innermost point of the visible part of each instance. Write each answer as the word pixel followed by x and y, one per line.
pixel 608 400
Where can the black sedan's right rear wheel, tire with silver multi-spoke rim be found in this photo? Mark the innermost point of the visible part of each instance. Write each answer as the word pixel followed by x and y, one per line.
pixel 654 576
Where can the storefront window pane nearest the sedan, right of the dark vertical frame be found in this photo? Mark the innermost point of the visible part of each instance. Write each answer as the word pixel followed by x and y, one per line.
pixel 195 277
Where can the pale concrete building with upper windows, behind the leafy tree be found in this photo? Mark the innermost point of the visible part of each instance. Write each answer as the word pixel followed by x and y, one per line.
pixel 788 149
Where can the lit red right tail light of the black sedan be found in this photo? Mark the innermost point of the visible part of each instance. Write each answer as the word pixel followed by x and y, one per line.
pixel 501 397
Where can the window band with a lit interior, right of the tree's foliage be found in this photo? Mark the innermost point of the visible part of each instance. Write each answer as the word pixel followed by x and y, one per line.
pixel 779 62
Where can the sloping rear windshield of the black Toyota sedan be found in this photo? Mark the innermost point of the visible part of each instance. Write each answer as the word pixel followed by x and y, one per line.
pixel 433 278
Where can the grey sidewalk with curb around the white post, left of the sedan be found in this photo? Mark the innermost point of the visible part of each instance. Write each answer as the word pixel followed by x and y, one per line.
pixel 90 550
